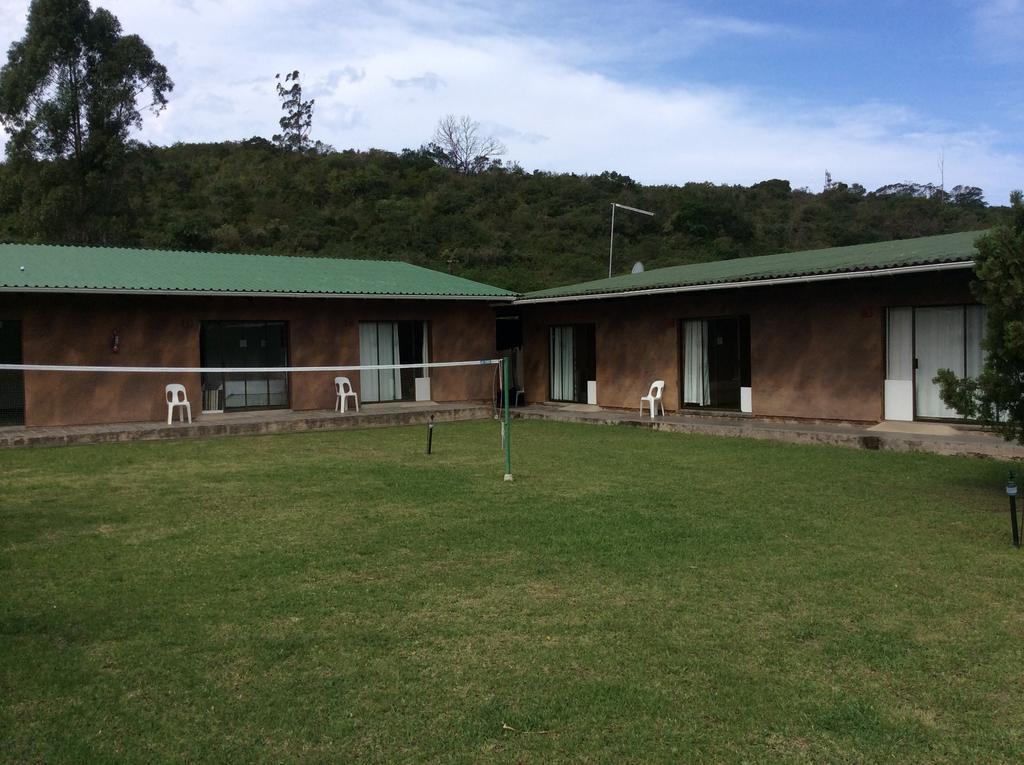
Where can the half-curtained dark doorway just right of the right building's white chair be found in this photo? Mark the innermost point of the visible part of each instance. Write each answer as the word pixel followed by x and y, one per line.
pixel 716 362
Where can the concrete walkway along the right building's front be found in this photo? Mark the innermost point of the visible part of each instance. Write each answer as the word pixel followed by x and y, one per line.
pixel 892 437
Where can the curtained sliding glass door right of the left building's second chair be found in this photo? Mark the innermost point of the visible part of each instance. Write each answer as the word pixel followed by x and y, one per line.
pixel 393 343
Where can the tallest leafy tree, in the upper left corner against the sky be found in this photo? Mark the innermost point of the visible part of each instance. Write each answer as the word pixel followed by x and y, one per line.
pixel 71 93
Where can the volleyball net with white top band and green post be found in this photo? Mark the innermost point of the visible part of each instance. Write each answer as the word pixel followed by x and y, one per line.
pixel 123 393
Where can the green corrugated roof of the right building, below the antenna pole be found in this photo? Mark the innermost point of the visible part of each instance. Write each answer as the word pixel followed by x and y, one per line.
pixel 949 248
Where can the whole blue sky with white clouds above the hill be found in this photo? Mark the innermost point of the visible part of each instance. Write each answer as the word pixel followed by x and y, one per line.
pixel 733 93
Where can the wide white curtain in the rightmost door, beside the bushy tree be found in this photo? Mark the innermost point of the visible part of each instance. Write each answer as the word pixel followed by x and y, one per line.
pixel 940 341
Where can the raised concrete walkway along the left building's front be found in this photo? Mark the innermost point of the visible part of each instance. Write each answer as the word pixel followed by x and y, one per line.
pixel 247 423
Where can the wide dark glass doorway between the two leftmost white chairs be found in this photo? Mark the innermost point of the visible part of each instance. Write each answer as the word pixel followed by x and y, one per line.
pixel 244 345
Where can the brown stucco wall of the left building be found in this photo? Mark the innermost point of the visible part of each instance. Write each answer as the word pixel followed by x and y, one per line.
pixel 164 331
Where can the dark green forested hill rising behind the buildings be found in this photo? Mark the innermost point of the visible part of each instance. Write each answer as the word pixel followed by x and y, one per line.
pixel 504 227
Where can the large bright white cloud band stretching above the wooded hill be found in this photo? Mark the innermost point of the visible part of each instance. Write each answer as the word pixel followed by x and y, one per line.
pixel 537 94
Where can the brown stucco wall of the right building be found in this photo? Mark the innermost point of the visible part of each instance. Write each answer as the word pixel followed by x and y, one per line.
pixel 818 350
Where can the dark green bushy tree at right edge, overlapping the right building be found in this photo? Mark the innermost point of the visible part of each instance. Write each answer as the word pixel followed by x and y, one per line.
pixel 997 396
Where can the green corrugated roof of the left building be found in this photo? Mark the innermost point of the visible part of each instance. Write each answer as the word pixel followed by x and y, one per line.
pixel 119 270
